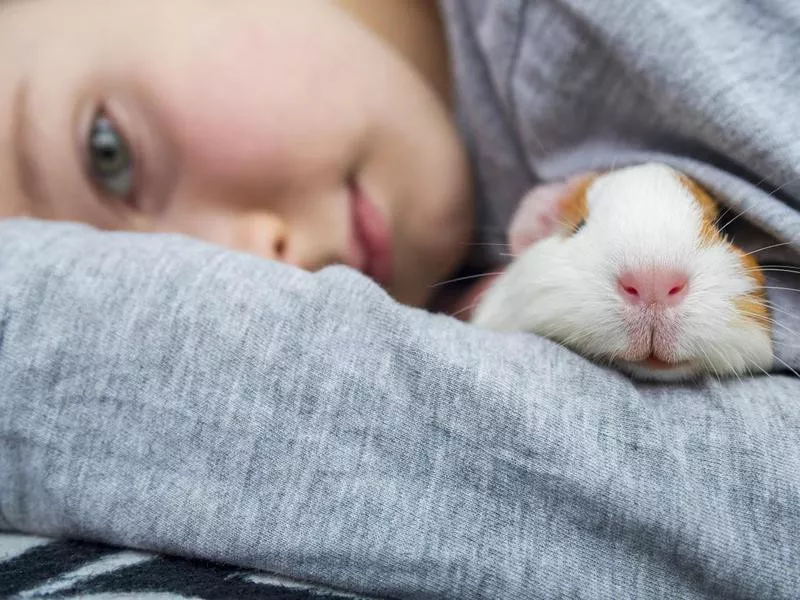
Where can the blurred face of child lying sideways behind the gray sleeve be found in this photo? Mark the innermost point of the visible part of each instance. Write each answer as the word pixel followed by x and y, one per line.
pixel 260 125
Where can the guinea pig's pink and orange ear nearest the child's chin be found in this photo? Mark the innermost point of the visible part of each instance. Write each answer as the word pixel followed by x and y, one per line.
pixel 550 209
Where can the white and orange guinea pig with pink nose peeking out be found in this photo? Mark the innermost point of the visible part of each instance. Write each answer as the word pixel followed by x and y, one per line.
pixel 629 268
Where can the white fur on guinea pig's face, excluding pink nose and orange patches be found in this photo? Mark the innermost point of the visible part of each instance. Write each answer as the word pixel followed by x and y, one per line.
pixel 565 287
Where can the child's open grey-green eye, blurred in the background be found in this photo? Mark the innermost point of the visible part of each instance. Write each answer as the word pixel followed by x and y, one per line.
pixel 110 162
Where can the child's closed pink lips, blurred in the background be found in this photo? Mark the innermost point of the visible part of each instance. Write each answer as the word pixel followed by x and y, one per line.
pixel 371 241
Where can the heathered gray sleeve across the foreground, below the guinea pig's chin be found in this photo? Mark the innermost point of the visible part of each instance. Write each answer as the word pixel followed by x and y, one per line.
pixel 162 394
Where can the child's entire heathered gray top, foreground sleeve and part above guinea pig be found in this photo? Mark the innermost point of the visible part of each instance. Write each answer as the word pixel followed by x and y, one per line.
pixel 159 393
